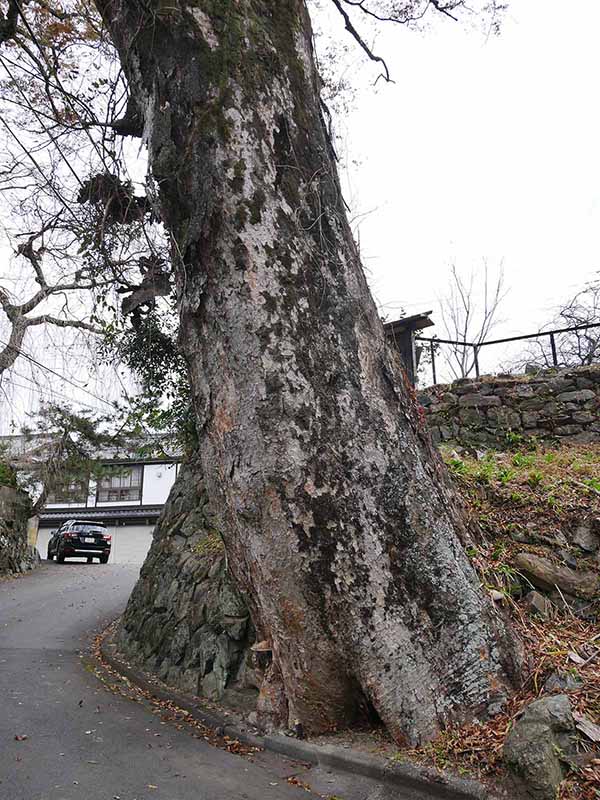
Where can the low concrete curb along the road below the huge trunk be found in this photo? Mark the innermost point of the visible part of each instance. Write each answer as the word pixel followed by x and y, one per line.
pixel 428 782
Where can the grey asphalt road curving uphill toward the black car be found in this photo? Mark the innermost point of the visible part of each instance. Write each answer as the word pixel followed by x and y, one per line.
pixel 84 742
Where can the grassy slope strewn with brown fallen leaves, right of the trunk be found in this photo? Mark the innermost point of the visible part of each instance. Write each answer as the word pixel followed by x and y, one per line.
pixel 538 495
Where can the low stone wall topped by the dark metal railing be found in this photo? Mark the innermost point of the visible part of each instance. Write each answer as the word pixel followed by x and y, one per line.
pixel 493 411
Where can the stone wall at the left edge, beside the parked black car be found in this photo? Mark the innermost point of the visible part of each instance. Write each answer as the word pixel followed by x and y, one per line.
pixel 15 553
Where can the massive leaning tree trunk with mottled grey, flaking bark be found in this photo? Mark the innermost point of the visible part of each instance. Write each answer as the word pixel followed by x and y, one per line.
pixel 338 523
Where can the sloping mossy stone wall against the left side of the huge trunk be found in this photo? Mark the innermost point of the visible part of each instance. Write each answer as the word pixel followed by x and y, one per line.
pixel 185 620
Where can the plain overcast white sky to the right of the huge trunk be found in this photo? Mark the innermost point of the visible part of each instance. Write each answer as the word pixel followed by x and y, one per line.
pixel 484 149
